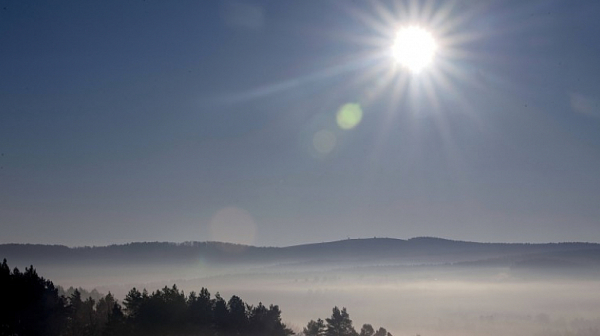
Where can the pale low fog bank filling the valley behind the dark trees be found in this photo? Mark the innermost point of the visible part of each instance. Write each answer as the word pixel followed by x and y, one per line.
pixel 432 300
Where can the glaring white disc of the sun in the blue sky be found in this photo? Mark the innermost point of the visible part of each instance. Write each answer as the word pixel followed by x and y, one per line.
pixel 414 48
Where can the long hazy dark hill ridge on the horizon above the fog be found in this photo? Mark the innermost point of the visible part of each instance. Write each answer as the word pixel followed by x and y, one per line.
pixel 372 251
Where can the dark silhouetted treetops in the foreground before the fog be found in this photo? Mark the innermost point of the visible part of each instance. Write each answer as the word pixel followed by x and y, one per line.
pixel 32 306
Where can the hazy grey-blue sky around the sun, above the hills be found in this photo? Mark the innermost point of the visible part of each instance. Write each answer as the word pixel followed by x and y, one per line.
pixel 216 120
